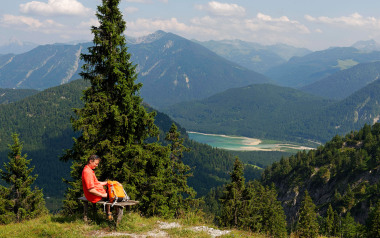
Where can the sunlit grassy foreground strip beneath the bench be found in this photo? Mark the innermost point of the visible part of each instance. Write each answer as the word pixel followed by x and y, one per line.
pixel 131 224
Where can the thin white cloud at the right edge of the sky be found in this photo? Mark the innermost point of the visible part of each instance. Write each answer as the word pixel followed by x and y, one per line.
pixel 353 20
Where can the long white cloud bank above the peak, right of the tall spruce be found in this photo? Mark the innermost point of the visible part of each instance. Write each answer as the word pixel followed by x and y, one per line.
pixel 262 28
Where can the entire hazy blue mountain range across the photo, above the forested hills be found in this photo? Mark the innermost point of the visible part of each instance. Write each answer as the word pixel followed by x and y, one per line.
pixel 174 69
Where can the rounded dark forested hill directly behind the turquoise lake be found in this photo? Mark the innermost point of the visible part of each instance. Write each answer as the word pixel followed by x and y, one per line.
pixel 258 111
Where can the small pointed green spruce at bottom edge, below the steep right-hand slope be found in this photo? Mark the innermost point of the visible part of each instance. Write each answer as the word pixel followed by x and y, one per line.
pixel 307 221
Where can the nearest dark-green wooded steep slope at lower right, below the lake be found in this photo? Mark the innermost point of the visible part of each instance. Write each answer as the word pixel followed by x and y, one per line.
pixel 345 173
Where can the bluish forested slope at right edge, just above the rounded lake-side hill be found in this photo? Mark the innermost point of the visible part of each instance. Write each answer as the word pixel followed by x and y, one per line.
pixel 343 83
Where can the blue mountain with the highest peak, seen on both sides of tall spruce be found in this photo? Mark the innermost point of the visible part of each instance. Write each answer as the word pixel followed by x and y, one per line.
pixel 171 68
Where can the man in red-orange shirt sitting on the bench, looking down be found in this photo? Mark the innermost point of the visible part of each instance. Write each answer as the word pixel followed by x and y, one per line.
pixel 92 188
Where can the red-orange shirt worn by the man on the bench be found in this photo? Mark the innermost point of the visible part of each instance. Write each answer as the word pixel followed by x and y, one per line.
pixel 89 181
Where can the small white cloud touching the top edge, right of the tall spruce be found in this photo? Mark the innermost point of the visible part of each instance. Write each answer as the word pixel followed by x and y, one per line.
pixel 222 9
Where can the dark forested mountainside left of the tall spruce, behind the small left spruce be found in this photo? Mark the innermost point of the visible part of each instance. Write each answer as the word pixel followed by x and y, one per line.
pixel 43 122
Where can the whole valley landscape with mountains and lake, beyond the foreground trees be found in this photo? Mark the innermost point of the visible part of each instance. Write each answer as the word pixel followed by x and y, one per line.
pixel 299 121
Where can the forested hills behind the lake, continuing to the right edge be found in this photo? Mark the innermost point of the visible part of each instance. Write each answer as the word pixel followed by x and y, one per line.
pixel 273 112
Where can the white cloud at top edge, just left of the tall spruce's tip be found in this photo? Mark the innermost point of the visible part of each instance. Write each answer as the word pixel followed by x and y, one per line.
pixel 55 7
